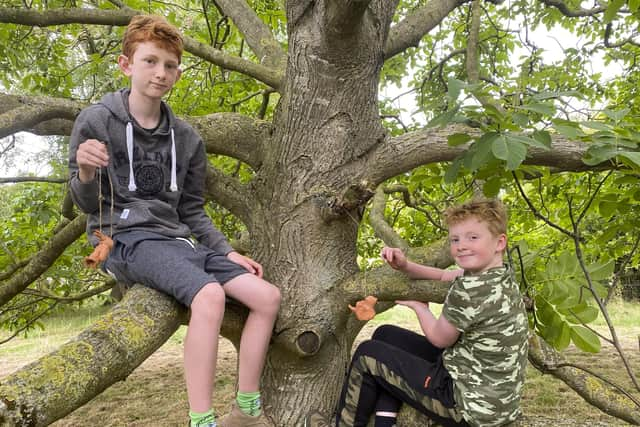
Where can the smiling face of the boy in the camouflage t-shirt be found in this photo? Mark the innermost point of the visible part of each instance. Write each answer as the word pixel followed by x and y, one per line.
pixel 474 247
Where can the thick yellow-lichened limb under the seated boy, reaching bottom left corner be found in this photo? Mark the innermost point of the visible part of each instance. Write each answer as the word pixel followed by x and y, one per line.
pixel 102 355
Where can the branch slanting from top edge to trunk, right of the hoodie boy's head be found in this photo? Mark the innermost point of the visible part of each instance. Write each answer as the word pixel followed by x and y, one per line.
pixel 256 33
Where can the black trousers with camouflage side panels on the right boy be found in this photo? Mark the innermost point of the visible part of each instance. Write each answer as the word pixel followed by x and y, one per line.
pixel 397 366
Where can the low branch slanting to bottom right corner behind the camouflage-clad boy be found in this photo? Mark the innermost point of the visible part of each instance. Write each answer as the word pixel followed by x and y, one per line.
pixel 595 391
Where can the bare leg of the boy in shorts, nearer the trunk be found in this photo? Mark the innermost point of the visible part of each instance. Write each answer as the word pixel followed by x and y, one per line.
pixel 263 300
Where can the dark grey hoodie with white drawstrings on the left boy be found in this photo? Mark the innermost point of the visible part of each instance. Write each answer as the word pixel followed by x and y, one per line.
pixel 158 175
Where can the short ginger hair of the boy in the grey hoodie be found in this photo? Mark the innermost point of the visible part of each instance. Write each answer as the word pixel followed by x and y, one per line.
pixel 152 28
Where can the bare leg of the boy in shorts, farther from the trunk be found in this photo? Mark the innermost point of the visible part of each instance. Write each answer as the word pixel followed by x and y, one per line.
pixel 201 345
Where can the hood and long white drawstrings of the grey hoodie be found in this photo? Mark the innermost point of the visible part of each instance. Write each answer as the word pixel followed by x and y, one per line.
pixel 118 104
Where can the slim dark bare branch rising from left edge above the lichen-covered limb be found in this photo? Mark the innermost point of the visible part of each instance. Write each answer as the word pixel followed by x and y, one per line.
pixel 42 260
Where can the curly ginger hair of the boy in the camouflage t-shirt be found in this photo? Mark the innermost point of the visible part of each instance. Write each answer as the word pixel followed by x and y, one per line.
pixel 491 211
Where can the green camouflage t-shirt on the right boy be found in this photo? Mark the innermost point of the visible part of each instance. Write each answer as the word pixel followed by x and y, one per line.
pixel 488 361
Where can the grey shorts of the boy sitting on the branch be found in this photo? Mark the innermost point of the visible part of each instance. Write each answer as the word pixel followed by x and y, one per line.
pixel 174 266
